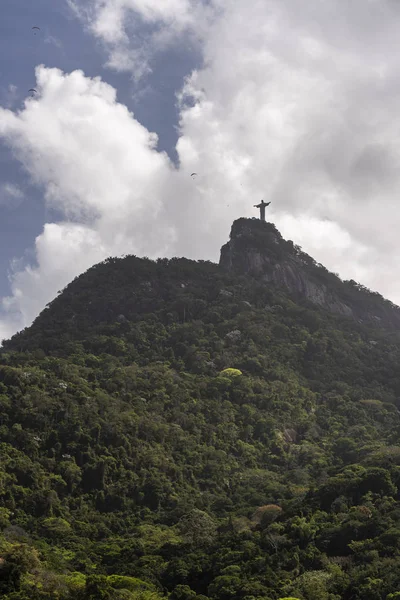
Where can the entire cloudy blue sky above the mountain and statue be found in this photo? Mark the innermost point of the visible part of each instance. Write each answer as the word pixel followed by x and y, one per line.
pixel 296 104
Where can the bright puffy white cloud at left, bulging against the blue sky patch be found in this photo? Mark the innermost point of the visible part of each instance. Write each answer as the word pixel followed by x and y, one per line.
pixel 94 160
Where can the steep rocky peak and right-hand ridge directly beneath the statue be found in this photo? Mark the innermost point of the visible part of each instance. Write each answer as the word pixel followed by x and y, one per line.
pixel 258 249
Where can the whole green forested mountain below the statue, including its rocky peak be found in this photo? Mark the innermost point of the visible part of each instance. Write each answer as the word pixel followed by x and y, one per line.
pixel 185 430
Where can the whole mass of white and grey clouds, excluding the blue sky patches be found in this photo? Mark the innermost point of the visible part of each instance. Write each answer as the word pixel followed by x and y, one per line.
pixel 297 104
